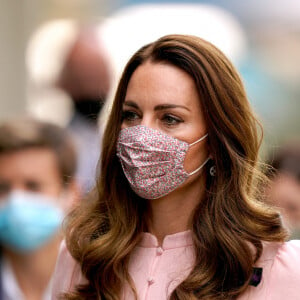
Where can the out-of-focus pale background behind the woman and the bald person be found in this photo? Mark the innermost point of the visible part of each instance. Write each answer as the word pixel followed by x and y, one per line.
pixel 262 37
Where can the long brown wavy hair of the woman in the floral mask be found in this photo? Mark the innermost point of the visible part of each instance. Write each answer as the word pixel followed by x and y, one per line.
pixel 229 222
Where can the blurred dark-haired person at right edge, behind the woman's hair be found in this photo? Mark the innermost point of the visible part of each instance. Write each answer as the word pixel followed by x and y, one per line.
pixel 284 188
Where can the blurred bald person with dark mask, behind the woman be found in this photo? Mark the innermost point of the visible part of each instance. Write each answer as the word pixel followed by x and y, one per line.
pixel 85 78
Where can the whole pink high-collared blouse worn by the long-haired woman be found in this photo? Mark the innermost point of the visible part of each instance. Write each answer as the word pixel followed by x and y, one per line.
pixel 156 270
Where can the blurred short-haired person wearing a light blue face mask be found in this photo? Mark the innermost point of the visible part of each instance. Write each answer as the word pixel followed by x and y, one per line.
pixel 37 188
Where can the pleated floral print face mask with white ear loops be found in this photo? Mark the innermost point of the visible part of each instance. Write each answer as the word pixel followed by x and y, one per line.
pixel 152 161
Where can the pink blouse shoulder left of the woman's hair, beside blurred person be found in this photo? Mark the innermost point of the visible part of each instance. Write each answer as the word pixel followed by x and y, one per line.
pixel 67 272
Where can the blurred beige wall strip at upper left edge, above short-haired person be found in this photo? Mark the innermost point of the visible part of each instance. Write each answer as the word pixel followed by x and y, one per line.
pixel 12 70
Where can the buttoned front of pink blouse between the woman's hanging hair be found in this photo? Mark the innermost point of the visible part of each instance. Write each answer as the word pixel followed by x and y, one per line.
pixel 156 270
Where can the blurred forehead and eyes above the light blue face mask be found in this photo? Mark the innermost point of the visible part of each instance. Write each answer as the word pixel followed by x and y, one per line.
pixel 32 170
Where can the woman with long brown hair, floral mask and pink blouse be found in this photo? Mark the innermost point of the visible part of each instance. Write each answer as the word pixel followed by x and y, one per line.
pixel 177 213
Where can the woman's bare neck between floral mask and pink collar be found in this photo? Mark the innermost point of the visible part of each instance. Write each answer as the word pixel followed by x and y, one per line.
pixel 172 213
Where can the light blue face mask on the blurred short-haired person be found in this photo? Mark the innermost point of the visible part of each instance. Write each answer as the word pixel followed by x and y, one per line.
pixel 28 220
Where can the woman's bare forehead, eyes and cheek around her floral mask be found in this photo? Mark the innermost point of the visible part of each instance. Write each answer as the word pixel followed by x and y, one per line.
pixel 164 97
